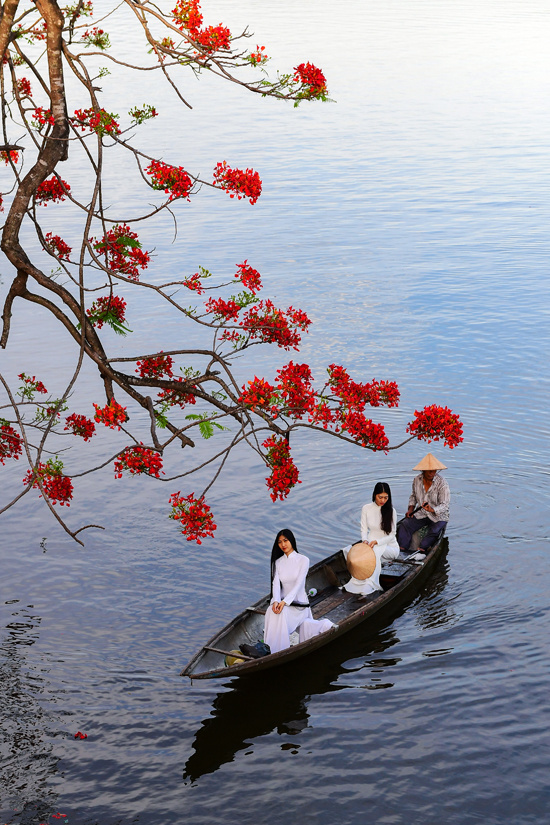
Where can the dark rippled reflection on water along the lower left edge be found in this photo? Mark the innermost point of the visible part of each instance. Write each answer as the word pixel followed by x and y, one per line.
pixel 26 759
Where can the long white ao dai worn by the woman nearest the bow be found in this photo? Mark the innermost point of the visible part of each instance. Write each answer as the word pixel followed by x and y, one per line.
pixel 289 584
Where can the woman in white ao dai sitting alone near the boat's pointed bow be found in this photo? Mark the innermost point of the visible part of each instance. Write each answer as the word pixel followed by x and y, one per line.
pixel 289 609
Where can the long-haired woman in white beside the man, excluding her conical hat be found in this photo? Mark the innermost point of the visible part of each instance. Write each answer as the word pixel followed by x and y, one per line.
pixel 378 525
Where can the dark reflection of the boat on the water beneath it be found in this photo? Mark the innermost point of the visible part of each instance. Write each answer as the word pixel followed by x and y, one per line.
pixel 277 700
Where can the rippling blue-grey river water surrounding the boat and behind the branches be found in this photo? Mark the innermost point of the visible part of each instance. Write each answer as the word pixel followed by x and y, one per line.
pixel 410 219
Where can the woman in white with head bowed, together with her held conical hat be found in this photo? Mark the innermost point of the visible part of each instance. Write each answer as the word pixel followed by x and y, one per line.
pixel 364 560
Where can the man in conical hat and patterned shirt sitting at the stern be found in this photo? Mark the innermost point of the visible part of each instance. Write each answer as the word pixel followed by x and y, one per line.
pixel 428 504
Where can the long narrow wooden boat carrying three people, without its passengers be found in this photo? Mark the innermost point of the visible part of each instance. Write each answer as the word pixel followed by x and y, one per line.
pixel 400 579
